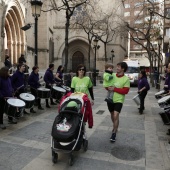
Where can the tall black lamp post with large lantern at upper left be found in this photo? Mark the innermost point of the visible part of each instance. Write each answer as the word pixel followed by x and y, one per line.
pixel 36 11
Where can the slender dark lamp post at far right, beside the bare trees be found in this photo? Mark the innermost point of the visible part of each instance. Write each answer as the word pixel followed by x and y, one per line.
pixel 159 55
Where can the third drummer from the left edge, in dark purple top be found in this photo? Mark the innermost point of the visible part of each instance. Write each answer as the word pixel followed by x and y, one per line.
pixel 34 83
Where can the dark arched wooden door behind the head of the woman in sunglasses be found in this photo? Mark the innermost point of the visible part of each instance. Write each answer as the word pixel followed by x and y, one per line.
pixel 77 58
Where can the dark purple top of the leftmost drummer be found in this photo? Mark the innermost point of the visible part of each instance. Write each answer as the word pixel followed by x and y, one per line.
pixel 6 89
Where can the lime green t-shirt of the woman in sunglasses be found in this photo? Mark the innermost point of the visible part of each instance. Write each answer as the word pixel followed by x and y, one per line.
pixel 81 85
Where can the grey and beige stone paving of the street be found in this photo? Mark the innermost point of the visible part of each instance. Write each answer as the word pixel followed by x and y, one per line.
pixel 141 144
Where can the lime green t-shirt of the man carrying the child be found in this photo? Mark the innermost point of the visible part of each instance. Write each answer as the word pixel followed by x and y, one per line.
pixel 120 82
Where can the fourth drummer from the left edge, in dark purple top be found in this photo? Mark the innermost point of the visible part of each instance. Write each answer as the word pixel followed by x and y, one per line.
pixel 49 81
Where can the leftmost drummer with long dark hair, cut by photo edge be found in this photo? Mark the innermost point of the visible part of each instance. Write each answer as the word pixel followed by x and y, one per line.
pixel 6 91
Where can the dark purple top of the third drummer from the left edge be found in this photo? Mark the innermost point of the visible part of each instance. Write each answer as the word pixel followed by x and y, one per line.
pixel 33 80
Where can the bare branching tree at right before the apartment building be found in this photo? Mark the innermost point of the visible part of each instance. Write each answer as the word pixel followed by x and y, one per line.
pixel 145 33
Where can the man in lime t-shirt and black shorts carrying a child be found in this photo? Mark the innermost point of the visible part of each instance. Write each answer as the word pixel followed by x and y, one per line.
pixel 121 87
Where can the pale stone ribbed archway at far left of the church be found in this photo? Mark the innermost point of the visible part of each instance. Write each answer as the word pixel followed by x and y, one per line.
pixel 14 40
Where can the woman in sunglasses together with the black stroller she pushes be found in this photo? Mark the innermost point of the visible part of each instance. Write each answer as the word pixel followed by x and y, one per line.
pixel 68 131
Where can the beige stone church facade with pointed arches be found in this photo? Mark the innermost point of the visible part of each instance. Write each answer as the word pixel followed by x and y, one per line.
pixel 14 41
